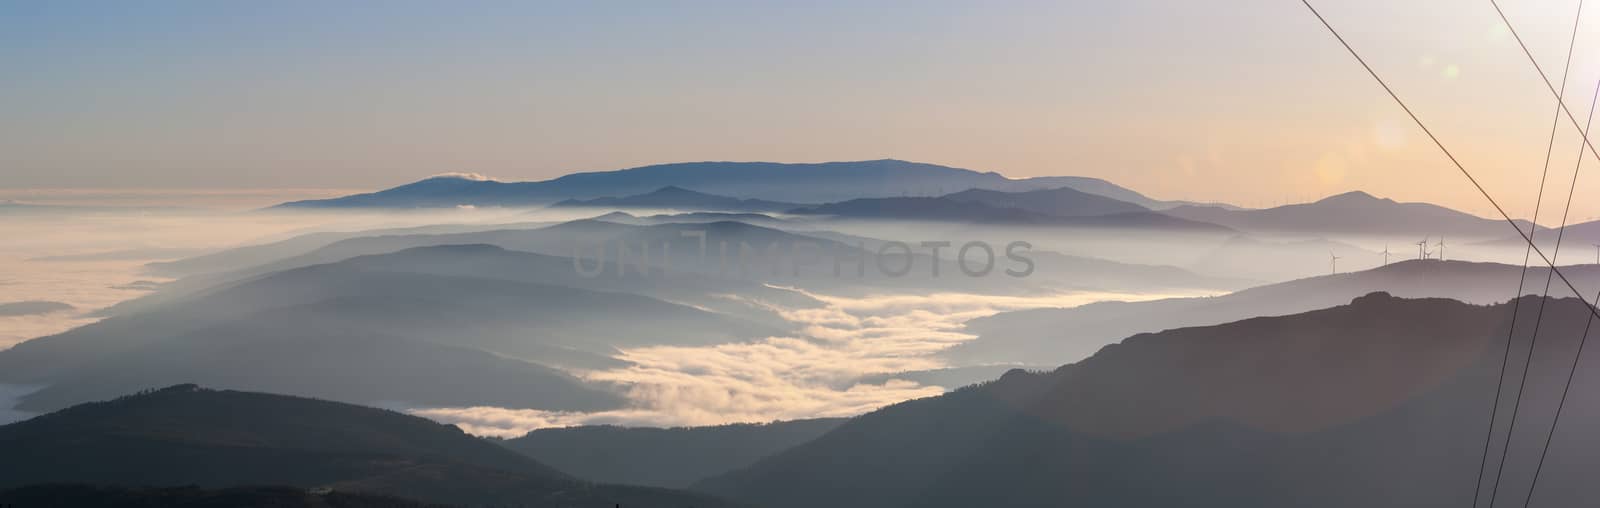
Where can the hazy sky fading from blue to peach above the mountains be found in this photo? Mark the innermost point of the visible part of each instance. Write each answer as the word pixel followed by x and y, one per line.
pixel 1246 101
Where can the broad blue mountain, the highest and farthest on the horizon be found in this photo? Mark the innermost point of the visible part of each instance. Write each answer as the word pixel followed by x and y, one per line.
pixel 809 183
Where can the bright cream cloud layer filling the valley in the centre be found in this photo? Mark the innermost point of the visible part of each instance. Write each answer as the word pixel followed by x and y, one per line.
pixel 782 378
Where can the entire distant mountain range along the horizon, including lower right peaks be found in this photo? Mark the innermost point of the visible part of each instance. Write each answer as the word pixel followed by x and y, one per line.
pixel 774 188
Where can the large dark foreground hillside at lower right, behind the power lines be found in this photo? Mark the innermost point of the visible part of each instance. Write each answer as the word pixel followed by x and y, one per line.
pixel 1377 403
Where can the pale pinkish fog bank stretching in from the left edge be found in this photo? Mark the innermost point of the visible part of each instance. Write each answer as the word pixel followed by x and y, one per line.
pixel 90 260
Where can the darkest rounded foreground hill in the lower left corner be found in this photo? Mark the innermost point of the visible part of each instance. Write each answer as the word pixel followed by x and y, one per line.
pixel 193 437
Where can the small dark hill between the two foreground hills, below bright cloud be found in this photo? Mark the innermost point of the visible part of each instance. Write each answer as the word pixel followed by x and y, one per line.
pixel 663 458
